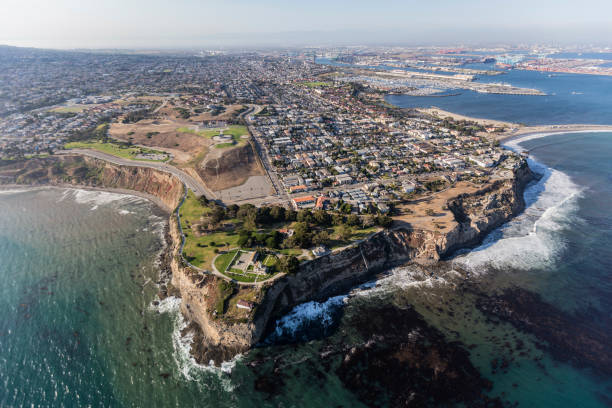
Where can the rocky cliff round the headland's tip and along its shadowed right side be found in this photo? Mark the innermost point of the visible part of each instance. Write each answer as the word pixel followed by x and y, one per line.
pixel 475 215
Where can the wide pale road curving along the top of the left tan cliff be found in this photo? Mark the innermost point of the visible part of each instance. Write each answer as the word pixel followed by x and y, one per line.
pixel 198 188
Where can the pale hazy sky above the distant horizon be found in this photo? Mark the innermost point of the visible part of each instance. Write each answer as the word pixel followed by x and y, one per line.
pixel 157 24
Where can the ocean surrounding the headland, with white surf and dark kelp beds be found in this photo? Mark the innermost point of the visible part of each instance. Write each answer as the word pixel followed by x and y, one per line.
pixel 81 325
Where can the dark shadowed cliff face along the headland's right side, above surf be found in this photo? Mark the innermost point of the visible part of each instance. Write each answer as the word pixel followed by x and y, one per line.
pixel 475 216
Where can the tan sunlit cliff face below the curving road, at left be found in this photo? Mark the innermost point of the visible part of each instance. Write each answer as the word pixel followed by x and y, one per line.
pixel 76 170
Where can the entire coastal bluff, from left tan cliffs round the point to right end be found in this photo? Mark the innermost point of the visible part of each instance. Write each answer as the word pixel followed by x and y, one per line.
pixel 219 338
